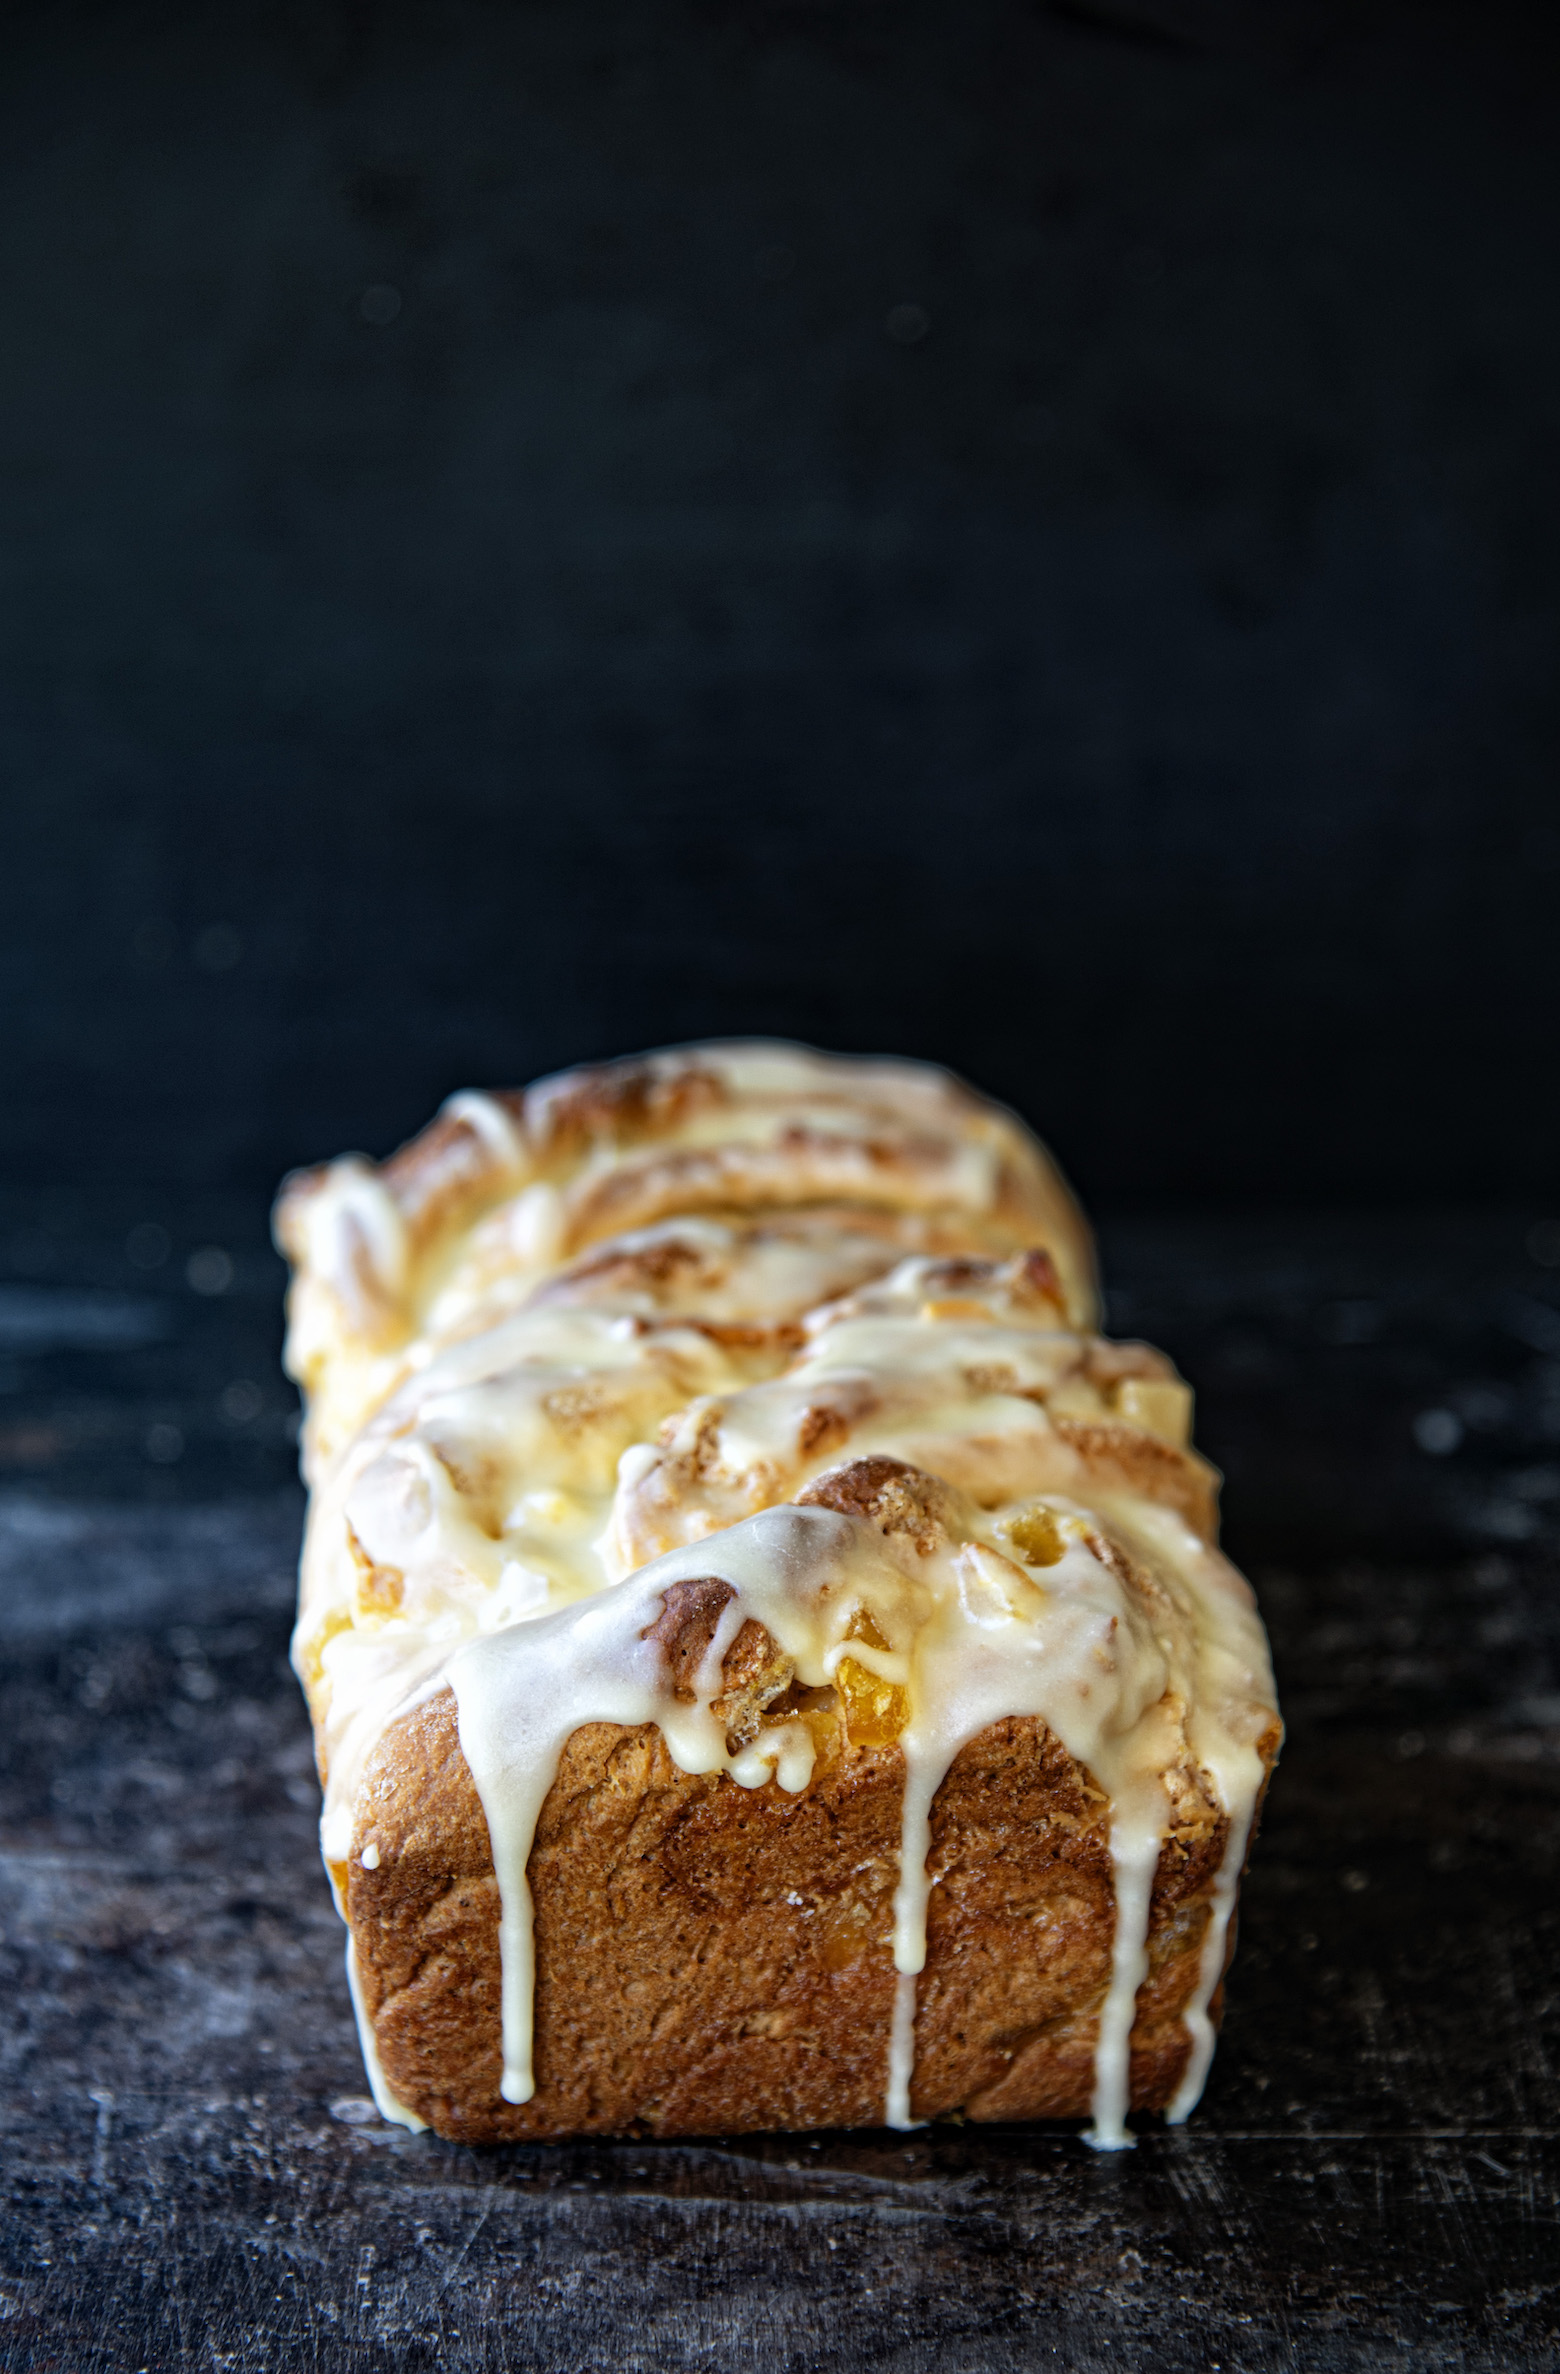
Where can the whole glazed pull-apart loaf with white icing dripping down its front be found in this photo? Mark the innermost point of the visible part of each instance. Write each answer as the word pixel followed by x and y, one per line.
pixel 768 1651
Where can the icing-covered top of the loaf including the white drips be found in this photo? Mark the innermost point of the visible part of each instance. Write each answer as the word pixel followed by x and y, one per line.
pixel 811 1338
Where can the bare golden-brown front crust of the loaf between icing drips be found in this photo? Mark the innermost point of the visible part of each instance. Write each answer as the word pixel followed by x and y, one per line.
pixel 716 1960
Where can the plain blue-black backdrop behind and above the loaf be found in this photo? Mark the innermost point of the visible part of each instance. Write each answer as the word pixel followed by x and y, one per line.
pixel 998 531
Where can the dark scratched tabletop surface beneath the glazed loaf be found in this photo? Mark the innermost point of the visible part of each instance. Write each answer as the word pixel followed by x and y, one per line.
pixel 194 2178
